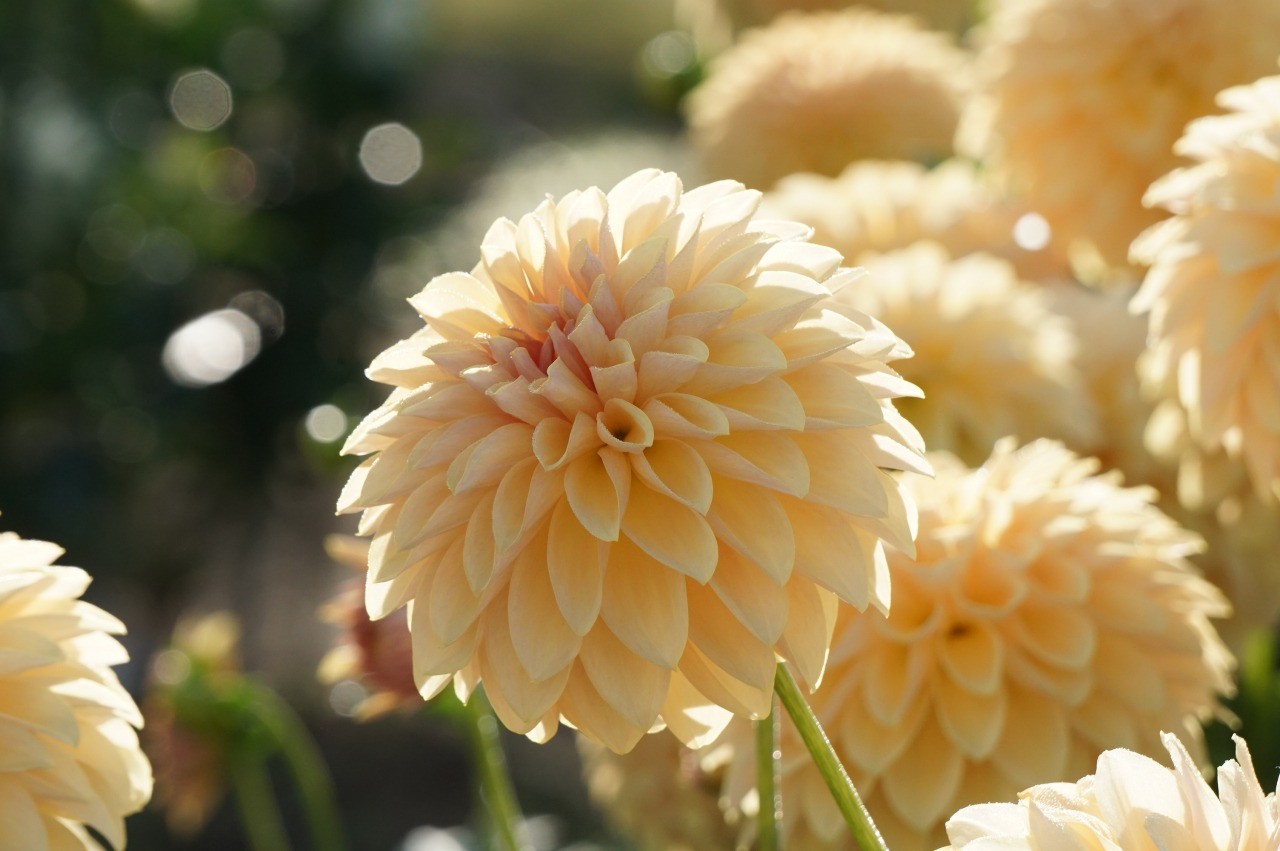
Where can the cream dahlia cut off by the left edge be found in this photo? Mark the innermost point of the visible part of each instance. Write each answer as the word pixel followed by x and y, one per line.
pixel 70 754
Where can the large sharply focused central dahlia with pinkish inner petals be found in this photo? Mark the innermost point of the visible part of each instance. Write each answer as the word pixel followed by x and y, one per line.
pixel 634 455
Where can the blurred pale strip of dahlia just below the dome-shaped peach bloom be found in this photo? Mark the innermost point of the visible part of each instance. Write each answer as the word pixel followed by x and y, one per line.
pixel 879 207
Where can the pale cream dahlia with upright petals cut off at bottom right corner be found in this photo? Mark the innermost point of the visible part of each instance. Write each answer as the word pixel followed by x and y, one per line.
pixel 1132 804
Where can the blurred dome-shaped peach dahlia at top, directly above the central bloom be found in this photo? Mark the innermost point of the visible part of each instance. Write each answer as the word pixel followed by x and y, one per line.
pixel 815 93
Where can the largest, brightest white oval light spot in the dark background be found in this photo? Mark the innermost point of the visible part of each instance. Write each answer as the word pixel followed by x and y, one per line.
pixel 212 349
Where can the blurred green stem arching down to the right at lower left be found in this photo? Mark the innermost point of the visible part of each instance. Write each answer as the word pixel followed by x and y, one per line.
pixel 308 768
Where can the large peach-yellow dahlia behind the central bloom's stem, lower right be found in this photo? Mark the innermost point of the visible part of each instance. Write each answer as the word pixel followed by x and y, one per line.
pixel 1050 615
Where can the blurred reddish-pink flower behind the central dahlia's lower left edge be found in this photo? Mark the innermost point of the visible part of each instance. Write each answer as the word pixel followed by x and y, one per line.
pixel 377 655
